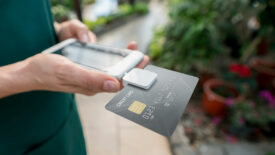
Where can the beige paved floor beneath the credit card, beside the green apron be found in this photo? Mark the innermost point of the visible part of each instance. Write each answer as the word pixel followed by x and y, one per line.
pixel 110 134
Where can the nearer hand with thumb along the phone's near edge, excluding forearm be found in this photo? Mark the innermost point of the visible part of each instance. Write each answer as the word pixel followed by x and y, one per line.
pixel 57 73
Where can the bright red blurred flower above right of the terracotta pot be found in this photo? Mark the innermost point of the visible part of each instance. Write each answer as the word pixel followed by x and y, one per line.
pixel 241 70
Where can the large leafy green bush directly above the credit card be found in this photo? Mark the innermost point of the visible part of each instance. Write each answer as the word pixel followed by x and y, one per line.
pixel 192 39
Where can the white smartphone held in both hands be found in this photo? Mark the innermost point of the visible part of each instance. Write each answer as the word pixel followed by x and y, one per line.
pixel 112 61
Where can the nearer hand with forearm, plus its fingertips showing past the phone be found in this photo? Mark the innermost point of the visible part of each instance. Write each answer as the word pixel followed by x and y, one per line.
pixel 56 73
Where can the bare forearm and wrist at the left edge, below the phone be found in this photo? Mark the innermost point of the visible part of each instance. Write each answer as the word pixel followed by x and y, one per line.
pixel 15 79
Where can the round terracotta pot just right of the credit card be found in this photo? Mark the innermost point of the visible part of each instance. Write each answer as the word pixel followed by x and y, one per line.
pixel 213 103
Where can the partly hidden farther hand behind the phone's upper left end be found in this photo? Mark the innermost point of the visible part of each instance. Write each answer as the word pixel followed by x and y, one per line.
pixel 74 29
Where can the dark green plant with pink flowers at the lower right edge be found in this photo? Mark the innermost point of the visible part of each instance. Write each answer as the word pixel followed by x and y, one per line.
pixel 256 114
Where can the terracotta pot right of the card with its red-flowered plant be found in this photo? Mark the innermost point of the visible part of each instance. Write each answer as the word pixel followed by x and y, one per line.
pixel 216 92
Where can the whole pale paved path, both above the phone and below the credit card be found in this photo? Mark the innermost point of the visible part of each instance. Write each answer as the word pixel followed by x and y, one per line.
pixel 105 132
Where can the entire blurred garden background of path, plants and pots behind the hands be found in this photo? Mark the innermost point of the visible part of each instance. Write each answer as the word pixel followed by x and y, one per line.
pixel 229 45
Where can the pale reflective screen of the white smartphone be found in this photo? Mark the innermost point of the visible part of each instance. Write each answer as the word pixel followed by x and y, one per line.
pixel 98 58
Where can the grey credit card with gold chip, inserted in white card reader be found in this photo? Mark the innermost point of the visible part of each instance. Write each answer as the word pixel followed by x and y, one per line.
pixel 159 108
